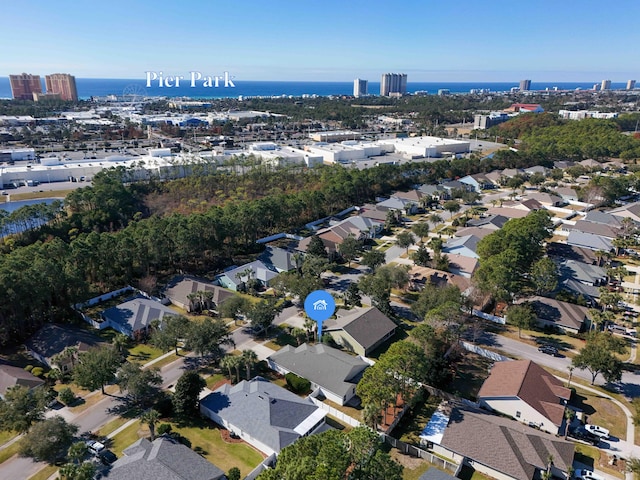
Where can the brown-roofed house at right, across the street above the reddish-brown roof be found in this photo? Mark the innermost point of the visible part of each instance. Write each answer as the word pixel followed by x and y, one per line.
pixel 565 316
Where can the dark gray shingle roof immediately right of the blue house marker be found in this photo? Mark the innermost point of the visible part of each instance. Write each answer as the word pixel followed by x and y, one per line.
pixel 366 326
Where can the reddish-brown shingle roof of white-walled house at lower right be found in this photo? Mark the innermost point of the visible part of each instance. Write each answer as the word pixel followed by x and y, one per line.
pixel 529 382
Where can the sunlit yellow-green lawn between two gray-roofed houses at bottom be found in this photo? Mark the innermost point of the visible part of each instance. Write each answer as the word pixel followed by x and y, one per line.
pixel 207 440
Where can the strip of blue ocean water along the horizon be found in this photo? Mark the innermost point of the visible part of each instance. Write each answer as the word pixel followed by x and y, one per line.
pixel 95 87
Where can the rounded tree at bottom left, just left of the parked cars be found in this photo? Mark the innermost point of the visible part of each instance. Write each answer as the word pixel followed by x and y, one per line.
pixel 48 441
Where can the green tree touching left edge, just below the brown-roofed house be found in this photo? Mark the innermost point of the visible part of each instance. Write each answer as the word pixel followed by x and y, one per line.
pixel 22 407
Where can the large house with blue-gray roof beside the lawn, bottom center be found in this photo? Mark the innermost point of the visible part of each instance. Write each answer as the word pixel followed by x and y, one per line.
pixel 263 414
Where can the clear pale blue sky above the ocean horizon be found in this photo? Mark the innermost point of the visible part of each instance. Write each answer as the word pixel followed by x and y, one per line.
pixel 328 40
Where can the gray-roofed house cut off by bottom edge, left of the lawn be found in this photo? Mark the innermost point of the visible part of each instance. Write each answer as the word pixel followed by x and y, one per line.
pixel 162 459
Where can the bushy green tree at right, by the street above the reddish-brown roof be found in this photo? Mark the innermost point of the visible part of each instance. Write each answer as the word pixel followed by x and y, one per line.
pixel 597 356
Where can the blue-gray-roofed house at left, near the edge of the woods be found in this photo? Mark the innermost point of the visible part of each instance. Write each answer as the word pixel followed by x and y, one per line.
pixel 133 317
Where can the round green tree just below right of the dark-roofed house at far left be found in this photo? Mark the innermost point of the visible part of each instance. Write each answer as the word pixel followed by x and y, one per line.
pixel 97 367
